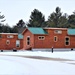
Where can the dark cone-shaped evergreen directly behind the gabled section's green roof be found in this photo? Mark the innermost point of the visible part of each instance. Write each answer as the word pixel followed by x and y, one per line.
pixel 36 19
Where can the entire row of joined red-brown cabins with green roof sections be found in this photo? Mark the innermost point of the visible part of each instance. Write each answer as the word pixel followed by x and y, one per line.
pixel 38 38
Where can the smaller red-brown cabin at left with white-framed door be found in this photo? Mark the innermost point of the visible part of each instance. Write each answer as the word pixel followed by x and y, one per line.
pixel 8 41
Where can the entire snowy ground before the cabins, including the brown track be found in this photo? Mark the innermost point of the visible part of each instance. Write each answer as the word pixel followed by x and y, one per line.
pixel 37 63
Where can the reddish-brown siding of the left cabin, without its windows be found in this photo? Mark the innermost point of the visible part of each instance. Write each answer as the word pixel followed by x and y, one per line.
pixel 12 44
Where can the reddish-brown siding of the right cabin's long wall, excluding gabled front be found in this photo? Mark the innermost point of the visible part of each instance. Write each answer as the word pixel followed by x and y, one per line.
pixel 49 40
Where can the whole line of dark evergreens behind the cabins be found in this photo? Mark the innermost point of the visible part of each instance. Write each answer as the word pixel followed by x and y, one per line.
pixel 37 19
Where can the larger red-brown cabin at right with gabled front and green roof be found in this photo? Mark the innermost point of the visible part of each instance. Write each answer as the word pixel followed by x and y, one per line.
pixel 45 38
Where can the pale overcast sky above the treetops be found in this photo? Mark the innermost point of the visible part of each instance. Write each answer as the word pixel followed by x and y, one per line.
pixel 14 10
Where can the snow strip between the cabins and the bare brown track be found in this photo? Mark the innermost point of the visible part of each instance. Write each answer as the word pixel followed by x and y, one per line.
pixel 65 54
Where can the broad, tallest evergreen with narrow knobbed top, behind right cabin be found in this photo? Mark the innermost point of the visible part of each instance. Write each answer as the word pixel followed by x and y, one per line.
pixel 56 19
